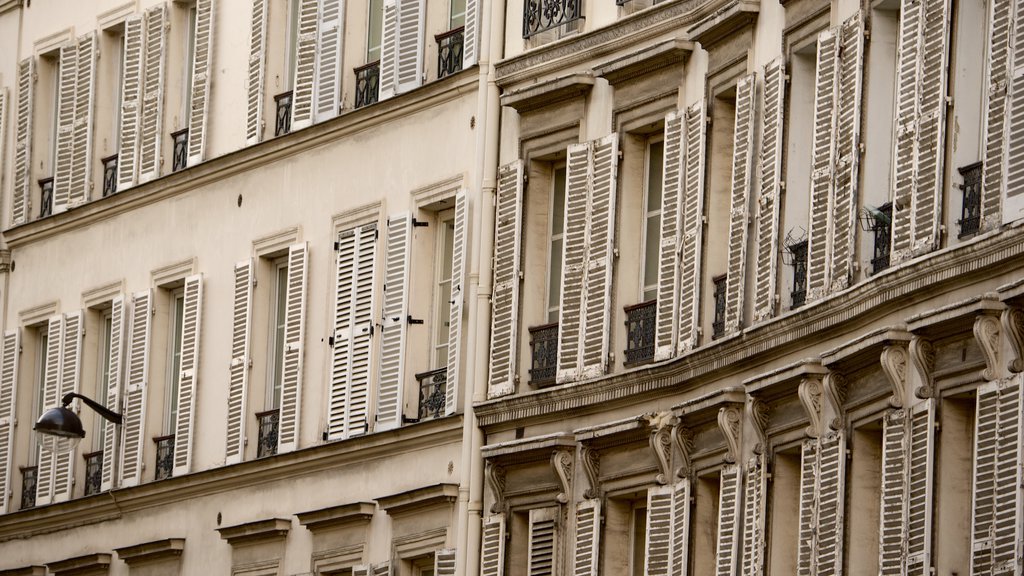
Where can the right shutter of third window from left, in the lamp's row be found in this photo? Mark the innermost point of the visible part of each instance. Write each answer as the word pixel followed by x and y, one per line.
pixel 189 379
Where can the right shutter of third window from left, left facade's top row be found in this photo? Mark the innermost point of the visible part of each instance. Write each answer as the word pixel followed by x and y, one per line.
pixel 202 71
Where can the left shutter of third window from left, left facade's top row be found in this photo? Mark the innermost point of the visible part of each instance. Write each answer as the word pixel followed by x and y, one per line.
pixel 152 116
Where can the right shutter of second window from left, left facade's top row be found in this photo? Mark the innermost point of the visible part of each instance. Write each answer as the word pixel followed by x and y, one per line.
pixel 132 104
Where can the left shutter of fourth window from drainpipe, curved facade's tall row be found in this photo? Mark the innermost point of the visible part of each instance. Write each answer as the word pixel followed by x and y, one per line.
pixel 770 201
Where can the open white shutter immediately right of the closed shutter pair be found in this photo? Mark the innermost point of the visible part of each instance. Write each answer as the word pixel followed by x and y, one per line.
pixel 392 380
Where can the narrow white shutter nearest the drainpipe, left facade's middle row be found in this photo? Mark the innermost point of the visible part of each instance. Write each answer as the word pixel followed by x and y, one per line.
pixel 460 248
